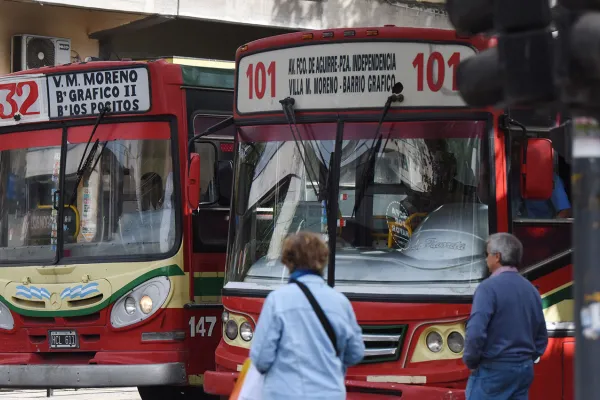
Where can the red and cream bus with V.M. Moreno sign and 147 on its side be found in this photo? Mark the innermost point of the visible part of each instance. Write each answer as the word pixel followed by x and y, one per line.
pixel 107 278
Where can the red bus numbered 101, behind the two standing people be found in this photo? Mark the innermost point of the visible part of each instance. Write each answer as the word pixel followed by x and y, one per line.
pixel 360 135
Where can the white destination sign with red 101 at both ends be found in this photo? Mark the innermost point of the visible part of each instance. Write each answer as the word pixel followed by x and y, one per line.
pixel 351 76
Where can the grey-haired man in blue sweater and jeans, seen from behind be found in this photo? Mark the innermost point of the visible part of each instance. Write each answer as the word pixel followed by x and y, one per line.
pixel 506 331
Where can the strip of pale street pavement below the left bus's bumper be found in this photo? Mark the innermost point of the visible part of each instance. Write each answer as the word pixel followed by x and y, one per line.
pixel 70 394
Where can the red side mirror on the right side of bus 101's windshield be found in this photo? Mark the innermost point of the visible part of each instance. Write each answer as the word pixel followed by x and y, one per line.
pixel 537 169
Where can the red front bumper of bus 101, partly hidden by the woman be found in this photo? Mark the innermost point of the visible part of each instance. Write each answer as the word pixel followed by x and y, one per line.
pixel 221 383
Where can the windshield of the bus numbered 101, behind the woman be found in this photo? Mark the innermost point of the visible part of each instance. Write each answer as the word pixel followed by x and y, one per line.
pixel 413 206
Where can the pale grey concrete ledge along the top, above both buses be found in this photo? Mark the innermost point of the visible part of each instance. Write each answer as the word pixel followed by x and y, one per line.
pixel 295 14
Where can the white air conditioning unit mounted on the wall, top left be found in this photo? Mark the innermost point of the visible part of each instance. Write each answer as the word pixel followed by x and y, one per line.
pixel 31 51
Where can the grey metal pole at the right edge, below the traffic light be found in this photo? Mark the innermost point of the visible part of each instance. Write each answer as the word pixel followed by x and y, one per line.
pixel 586 242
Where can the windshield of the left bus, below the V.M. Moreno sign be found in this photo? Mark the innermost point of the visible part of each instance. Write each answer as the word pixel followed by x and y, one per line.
pixel 122 206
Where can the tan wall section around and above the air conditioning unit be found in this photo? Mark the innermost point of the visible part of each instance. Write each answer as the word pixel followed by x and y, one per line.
pixel 76 24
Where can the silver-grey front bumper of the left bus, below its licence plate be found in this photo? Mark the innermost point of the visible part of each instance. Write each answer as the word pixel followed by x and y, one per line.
pixel 86 375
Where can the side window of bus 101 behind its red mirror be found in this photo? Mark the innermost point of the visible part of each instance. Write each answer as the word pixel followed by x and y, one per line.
pixel 544 226
